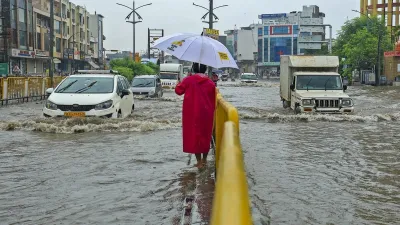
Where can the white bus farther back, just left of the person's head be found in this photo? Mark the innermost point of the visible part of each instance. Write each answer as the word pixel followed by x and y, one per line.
pixel 170 74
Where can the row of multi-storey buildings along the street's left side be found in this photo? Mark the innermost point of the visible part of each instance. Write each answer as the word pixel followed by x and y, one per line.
pixel 25 40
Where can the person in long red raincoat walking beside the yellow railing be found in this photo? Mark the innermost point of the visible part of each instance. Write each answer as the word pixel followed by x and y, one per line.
pixel 197 112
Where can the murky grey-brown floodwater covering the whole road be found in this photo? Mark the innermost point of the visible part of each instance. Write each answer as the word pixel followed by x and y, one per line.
pixel 302 169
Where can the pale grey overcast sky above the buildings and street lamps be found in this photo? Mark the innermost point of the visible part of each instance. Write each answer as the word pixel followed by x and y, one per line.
pixel 181 16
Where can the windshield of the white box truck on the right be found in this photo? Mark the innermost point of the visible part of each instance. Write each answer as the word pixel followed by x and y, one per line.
pixel 319 82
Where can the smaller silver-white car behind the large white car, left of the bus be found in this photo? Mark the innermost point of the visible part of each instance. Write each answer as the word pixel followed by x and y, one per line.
pixel 147 85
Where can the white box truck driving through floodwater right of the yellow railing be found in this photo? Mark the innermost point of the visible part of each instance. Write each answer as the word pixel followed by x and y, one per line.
pixel 312 84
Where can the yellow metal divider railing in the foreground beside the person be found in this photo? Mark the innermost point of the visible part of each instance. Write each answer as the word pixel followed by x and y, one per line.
pixel 231 204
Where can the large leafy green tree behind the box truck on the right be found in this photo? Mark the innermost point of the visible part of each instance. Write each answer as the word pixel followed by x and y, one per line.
pixel 357 43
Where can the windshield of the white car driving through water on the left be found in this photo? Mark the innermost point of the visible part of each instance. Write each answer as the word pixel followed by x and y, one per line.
pixel 85 85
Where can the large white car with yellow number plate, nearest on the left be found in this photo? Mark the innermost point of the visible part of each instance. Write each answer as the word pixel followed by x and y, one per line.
pixel 91 94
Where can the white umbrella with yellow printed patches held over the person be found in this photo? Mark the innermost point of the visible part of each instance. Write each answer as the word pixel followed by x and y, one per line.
pixel 197 48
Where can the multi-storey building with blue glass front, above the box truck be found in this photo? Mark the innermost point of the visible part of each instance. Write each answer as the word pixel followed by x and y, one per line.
pixel 288 34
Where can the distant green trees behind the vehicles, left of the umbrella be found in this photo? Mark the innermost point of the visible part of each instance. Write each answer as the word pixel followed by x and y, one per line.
pixel 129 68
